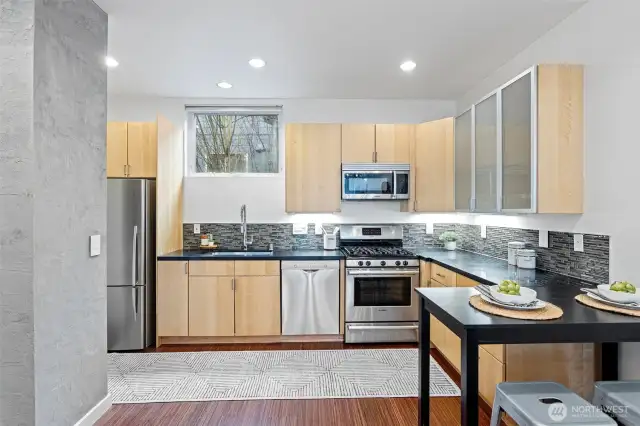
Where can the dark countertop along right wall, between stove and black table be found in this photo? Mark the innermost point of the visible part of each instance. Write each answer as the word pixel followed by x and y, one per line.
pixel 489 270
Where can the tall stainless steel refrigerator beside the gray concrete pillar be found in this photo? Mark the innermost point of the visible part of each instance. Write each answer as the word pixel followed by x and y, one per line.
pixel 131 264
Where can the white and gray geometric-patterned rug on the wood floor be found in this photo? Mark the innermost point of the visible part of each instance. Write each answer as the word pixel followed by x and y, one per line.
pixel 210 376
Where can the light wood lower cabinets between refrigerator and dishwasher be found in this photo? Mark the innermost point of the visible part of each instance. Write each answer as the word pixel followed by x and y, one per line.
pixel 212 299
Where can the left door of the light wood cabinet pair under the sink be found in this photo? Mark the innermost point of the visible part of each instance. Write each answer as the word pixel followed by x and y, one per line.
pixel 211 306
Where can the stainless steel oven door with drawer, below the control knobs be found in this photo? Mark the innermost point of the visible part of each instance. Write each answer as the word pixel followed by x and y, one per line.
pixel 381 304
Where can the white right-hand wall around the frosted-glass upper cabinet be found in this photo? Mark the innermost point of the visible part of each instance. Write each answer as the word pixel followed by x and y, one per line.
pixel 603 36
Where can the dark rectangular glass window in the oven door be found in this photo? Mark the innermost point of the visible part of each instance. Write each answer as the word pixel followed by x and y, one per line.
pixel 388 291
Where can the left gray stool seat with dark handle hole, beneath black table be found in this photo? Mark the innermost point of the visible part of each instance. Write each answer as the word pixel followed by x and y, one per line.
pixel 545 403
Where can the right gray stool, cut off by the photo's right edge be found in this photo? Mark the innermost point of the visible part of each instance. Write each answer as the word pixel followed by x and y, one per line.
pixel 620 400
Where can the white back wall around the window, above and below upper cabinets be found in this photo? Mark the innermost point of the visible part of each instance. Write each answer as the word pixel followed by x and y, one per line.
pixel 218 199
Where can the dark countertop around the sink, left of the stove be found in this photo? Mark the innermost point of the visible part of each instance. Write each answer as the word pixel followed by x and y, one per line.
pixel 275 255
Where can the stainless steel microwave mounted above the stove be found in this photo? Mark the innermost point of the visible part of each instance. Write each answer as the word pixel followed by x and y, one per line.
pixel 375 181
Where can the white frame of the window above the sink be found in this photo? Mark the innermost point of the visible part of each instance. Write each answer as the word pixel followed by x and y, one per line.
pixel 190 137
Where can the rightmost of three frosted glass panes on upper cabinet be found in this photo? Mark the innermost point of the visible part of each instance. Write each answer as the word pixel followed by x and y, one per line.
pixel 516 145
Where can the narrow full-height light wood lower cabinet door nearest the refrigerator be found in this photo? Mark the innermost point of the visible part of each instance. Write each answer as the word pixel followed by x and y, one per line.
pixel 172 299
